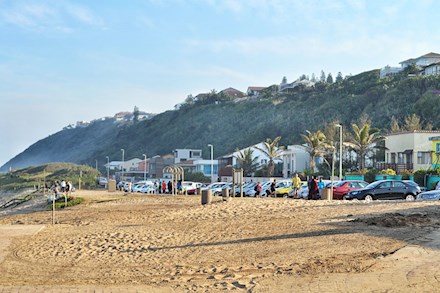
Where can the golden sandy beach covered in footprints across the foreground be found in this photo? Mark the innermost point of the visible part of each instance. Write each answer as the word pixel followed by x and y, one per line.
pixel 175 244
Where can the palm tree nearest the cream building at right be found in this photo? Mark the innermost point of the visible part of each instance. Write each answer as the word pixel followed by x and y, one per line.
pixel 363 141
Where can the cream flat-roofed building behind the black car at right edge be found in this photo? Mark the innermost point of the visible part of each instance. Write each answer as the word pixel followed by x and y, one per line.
pixel 411 150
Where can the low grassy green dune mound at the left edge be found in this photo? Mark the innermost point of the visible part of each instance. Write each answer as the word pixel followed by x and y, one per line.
pixel 31 177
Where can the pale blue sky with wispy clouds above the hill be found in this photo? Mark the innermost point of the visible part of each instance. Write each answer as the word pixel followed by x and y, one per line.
pixel 62 61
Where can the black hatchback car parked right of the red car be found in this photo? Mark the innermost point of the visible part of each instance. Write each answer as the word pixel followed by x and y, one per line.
pixel 387 189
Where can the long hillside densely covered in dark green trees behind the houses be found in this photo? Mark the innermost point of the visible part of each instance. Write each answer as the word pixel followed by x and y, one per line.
pixel 228 124
